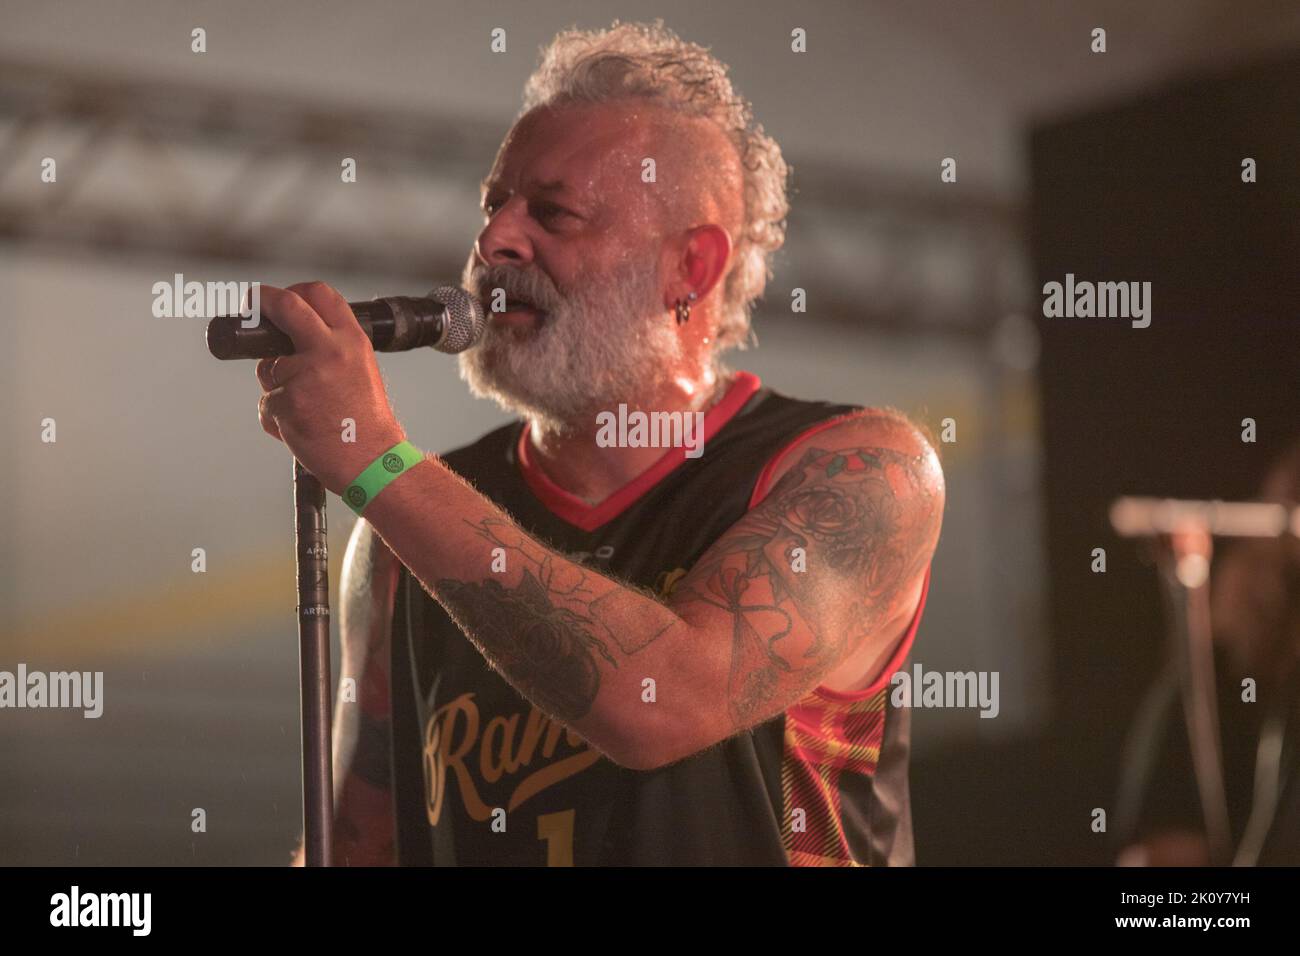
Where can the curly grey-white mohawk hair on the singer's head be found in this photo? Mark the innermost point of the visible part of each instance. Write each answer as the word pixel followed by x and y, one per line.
pixel 651 62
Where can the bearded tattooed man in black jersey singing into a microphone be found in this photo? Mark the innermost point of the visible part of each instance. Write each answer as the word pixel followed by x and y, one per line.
pixel 618 654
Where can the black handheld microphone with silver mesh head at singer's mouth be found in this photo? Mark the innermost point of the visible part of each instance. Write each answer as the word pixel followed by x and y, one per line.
pixel 449 319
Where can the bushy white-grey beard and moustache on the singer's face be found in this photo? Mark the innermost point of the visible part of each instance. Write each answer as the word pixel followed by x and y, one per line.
pixel 612 343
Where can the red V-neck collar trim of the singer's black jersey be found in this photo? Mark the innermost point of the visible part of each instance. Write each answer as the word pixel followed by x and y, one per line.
pixel 587 517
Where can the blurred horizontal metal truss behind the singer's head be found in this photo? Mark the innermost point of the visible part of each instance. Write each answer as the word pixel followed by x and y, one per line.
pixel 246 178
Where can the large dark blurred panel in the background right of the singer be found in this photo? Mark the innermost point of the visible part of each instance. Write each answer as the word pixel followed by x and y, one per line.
pixel 1145 192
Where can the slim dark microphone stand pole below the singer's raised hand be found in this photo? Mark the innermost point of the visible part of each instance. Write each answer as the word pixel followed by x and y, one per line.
pixel 313 555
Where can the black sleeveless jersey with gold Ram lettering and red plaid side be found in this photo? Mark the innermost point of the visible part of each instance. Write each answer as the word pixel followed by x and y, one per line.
pixel 482 777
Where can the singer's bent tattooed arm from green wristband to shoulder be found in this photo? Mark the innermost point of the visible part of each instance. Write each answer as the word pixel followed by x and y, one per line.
pixel 744 635
